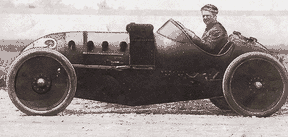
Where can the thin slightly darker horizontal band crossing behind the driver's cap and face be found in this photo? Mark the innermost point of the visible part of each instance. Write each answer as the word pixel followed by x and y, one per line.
pixel 148 12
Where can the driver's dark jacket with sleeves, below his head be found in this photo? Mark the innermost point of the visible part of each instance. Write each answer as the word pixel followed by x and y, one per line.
pixel 213 39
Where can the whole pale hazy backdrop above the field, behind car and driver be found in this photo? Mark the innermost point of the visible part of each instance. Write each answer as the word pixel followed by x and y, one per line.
pixel 31 19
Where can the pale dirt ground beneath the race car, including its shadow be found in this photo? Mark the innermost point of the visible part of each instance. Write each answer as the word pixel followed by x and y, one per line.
pixel 180 119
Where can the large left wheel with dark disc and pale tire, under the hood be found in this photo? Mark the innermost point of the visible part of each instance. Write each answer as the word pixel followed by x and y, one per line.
pixel 41 82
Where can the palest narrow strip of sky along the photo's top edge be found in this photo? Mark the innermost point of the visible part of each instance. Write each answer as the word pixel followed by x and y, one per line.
pixel 149 4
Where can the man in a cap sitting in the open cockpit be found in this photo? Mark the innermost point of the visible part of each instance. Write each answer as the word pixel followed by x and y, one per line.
pixel 215 35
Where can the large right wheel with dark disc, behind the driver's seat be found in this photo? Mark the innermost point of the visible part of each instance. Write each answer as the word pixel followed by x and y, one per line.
pixel 254 84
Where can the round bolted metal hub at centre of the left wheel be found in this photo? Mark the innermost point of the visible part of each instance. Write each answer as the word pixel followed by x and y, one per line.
pixel 41 84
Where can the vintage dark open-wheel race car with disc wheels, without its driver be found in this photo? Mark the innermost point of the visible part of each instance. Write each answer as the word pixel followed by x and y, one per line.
pixel 141 67
